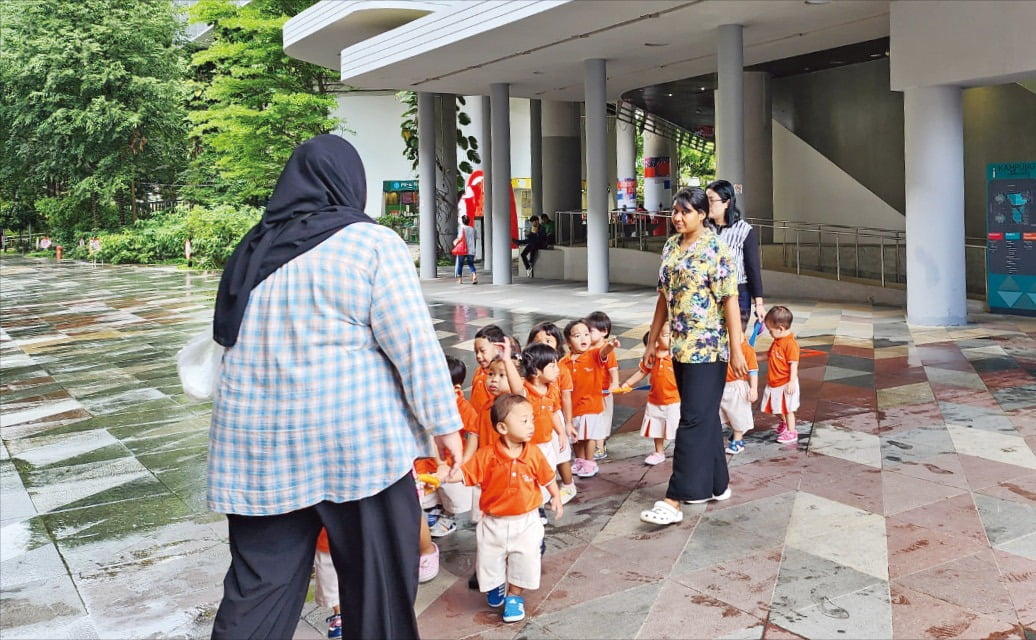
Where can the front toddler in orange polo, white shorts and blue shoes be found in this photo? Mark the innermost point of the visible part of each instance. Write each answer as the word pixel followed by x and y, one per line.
pixel 509 536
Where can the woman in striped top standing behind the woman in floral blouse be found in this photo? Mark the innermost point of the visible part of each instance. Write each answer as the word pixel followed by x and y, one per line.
pixel 744 245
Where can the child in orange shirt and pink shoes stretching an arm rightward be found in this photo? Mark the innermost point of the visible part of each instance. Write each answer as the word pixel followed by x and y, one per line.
pixel 589 367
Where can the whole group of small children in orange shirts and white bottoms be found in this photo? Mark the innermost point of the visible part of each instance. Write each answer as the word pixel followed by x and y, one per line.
pixel 557 395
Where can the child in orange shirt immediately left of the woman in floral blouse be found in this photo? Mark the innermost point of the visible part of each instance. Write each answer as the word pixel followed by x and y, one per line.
pixel 663 411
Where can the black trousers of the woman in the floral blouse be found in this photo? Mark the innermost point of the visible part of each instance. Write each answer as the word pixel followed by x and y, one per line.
pixel 699 462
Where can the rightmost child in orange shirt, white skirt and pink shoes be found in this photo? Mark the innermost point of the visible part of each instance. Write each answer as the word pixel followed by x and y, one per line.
pixel 782 395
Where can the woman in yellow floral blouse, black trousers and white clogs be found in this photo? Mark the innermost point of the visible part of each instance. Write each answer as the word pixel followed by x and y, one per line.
pixel 698 294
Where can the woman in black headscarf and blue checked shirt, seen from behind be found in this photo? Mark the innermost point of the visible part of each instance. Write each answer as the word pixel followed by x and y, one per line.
pixel 332 385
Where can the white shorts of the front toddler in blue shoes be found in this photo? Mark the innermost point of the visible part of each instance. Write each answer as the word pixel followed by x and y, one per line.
pixel 509 551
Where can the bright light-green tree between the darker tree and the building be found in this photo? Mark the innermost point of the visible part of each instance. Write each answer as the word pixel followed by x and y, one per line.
pixel 251 104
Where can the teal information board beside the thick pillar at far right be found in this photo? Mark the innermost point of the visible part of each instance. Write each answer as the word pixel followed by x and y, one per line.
pixel 1012 239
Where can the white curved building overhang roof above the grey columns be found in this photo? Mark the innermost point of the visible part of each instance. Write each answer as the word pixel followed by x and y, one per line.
pixel 539 46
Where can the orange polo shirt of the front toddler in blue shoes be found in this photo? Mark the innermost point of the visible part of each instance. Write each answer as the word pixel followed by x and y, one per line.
pixel 510 486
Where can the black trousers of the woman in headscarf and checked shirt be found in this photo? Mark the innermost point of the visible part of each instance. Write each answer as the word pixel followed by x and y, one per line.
pixel 373 544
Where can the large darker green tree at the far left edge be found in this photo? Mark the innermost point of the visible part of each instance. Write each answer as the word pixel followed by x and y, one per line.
pixel 91 114
